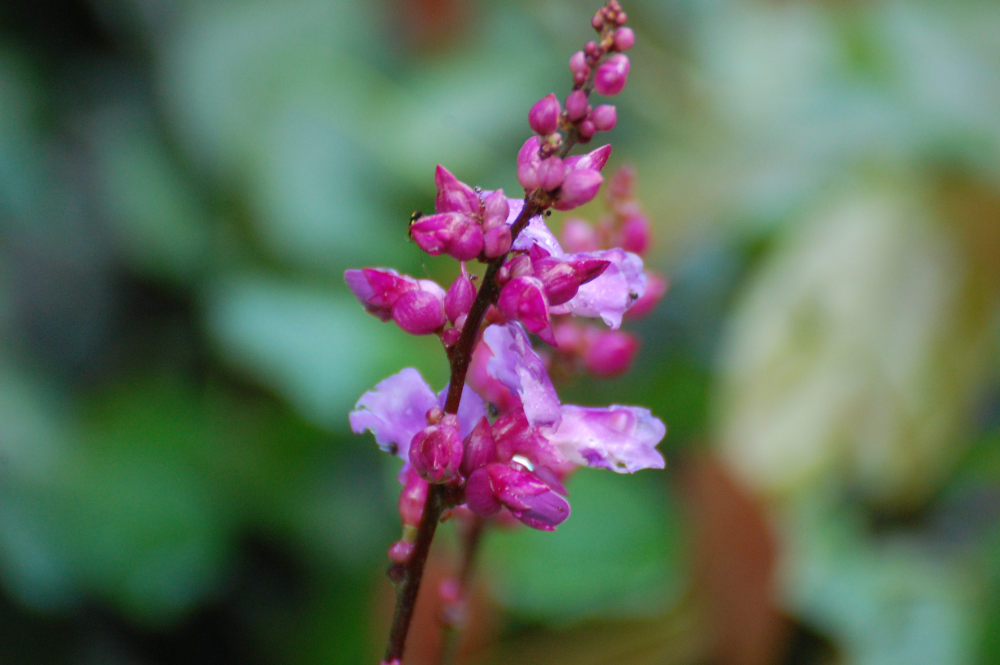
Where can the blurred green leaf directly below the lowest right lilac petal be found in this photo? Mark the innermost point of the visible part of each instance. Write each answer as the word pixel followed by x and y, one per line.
pixel 618 553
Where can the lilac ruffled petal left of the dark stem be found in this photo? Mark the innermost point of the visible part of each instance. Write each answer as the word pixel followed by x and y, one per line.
pixel 394 411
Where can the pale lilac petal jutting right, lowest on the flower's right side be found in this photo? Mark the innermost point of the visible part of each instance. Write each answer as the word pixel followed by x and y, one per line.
pixel 620 438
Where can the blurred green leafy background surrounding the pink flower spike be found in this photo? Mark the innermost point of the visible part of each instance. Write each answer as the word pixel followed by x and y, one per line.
pixel 182 185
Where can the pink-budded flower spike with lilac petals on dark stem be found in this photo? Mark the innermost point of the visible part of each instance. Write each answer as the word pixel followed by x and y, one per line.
pixel 497 443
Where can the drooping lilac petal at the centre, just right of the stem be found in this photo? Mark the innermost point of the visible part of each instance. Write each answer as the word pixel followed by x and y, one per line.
pixel 516 365
